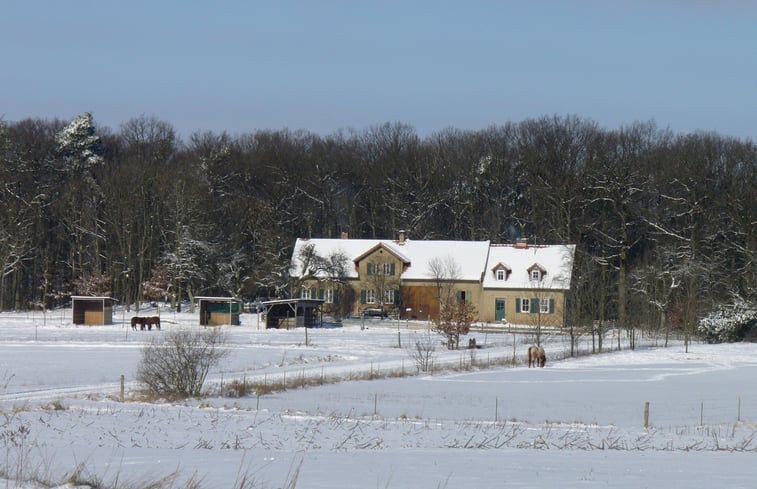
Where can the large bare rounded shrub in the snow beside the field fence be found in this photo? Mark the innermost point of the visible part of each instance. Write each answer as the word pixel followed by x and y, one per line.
pixel 177 363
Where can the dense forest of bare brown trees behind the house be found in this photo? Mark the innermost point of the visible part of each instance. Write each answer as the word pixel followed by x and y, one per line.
pixel 664 223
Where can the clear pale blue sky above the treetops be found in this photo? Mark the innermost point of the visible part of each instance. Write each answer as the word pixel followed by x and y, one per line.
pixel 322 66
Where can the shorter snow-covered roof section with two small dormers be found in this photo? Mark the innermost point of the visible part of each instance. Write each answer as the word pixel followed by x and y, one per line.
pixel 555 260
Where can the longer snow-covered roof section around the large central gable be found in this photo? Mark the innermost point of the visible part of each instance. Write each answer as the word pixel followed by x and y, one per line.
pixel 469 256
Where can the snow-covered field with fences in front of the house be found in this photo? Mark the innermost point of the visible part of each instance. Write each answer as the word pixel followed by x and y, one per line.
pixel 576 423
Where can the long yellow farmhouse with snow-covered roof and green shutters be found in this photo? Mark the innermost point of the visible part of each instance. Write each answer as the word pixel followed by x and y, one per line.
pixel 507 283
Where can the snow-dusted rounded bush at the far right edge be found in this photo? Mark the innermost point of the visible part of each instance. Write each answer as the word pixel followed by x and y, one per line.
pixel 728 322
